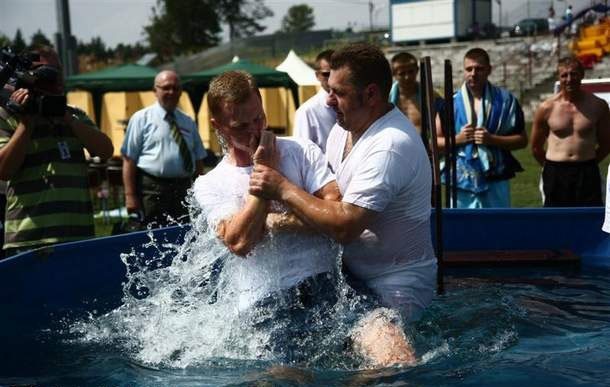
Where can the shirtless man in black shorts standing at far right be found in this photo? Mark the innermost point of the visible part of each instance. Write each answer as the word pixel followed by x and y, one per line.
pixel 575 124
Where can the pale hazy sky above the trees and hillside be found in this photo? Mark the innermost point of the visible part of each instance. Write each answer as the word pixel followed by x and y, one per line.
pixel 122 21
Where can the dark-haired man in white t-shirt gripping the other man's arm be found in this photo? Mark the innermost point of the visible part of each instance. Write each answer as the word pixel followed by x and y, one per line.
pixel 383 219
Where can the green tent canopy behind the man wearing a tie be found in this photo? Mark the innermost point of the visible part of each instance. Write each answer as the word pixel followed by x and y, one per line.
pixel 129 77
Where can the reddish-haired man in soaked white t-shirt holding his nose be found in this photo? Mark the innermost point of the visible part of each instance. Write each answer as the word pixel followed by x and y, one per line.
pixel 241 220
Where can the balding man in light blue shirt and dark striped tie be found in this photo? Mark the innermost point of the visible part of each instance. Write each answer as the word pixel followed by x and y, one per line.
pixel 162 152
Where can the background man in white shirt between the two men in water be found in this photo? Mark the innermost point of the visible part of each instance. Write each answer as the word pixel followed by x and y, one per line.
pixel 314 118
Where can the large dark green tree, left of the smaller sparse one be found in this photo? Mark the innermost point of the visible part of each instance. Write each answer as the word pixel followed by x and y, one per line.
pixel 182 27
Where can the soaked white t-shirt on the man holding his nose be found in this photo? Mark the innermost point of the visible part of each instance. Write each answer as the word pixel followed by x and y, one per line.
pixel 282 260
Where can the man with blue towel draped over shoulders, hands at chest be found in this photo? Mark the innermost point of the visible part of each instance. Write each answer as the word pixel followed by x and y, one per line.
pixel 488 124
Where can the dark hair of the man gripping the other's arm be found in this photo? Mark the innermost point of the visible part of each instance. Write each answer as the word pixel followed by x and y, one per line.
pixel 367 65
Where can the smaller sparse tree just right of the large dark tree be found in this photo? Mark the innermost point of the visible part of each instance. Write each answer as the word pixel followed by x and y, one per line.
pixel 243 16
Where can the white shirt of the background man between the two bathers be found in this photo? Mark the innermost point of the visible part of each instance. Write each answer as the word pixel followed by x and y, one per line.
pixel 314 119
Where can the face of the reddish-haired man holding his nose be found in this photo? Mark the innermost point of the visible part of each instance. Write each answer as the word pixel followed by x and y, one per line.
pixel 241 124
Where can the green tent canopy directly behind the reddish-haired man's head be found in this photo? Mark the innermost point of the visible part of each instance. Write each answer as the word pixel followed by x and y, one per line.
pixel 198 83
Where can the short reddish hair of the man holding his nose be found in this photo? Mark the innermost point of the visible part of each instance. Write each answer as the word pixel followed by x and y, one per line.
pixel 233 87
